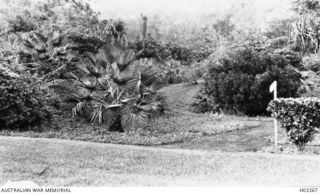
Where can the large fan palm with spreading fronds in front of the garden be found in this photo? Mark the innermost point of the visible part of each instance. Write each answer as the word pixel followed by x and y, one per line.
pixel 107 89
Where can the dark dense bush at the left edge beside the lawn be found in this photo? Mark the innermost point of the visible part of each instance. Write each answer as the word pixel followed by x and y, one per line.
pixel 20 106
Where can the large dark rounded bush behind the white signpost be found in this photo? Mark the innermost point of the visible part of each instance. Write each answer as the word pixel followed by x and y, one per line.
pixel 238 82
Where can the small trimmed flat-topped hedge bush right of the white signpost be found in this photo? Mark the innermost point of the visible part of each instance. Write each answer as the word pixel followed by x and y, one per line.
pixel 299 116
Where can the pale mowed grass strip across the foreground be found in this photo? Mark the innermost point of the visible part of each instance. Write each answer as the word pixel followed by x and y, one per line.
pixel 49 162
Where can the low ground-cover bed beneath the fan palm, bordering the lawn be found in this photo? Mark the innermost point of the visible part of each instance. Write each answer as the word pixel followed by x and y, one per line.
pixel 169 129
